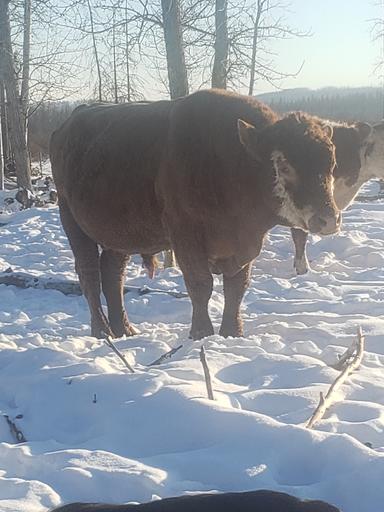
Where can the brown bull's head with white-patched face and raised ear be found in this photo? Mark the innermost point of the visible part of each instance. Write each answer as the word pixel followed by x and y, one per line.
pixel 299 154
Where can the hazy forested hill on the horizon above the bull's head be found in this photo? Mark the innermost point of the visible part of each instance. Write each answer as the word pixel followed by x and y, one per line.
pixel 338 103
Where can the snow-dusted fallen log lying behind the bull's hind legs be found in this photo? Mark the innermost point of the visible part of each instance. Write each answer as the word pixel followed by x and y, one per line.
pixel 68 287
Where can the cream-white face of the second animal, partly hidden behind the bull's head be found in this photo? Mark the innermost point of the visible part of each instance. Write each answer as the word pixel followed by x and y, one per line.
pixel 372 166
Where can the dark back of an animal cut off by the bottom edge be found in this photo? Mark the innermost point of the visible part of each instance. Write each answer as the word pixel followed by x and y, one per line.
pixel 254 501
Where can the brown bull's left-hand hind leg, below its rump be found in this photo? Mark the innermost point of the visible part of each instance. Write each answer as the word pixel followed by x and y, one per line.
pixel 86 255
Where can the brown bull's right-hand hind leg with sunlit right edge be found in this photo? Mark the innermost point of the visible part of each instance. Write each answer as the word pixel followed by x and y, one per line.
pixel 113 265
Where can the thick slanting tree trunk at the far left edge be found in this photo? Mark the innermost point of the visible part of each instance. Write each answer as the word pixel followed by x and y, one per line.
pixel 15 121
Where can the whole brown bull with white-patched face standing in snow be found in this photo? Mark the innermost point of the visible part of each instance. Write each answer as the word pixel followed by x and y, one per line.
pixel 207 175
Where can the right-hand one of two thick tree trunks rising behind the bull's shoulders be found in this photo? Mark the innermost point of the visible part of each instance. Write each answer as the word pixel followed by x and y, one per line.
pixel 219 70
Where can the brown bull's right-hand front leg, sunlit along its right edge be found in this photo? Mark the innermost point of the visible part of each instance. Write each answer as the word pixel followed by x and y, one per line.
pixel 234 289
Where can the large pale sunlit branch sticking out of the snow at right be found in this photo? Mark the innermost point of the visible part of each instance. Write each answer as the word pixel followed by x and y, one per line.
pixel 327 400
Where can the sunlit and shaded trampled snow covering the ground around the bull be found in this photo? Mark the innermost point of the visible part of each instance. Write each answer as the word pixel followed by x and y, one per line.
pixel 97 433
